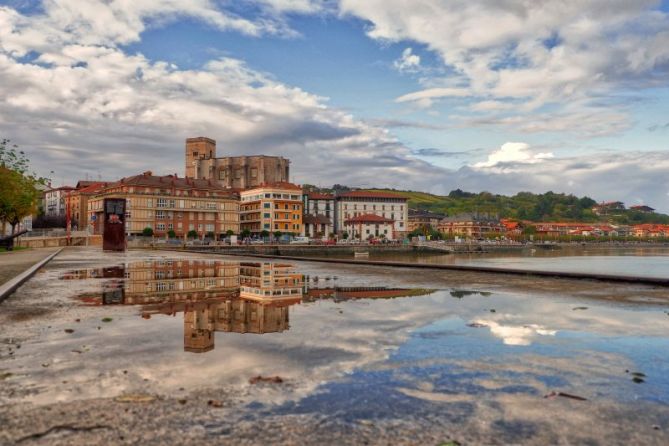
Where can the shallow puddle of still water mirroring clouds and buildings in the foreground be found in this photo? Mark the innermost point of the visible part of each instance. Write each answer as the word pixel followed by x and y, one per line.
pixel 502 363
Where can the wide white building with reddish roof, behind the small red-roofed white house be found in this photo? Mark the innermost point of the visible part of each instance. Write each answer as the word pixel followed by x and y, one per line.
pixel 386 205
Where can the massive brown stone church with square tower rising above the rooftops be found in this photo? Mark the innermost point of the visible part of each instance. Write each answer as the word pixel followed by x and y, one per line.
pixel 233 172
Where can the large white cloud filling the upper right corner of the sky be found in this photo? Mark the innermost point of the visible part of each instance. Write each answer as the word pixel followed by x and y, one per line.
pixel 536 53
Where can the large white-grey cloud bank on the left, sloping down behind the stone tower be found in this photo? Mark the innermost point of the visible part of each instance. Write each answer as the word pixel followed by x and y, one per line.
pixel 84 107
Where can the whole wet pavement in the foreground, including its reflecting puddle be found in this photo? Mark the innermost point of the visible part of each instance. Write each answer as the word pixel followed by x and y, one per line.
pixel 161 347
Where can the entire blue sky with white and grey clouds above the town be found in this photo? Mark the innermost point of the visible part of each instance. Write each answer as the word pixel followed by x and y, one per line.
pixel 498 95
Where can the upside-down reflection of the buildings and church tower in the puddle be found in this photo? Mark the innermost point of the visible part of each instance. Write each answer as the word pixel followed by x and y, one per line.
pixel 217 296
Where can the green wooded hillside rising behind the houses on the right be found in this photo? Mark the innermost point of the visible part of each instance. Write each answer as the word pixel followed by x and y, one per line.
pixel 549 206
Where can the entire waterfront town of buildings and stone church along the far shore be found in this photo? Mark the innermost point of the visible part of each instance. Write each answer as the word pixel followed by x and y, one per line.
pixel 252 198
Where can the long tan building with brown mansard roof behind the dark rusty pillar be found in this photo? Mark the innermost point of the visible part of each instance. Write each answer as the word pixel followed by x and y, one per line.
pixel 169 203
